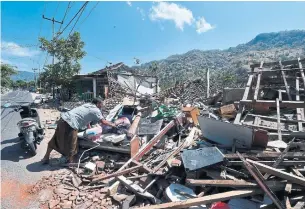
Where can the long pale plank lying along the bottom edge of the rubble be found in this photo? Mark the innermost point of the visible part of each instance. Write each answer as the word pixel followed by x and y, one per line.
pixel 208 199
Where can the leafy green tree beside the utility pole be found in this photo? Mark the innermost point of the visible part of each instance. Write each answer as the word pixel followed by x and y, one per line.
pixel 68 53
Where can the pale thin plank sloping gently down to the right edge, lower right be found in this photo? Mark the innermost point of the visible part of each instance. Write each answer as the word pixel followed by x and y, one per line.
pixel 268 169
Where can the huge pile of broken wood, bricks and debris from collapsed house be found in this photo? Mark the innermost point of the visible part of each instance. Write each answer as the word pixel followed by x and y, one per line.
pixel 174 154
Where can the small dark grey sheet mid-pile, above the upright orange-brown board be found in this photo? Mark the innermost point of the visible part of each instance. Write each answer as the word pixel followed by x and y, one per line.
pixel 146 127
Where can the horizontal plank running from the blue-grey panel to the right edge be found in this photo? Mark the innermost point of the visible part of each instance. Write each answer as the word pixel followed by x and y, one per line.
pixel 289 155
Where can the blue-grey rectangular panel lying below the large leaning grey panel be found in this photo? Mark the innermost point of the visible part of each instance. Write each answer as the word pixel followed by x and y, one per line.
pixel 199 158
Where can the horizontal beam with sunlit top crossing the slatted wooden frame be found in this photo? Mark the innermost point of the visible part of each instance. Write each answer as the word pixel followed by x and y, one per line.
pixel 272 103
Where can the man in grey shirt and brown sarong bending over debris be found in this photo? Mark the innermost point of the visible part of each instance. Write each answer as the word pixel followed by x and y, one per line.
pixel 65 138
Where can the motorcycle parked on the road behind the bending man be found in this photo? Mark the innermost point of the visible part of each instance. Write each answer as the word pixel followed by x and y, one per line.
pixel 31 132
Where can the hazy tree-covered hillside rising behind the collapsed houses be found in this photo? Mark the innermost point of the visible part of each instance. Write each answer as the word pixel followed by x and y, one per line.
pixel 228 68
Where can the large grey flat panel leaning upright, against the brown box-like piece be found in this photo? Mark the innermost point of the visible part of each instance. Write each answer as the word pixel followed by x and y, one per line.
pixel 226 133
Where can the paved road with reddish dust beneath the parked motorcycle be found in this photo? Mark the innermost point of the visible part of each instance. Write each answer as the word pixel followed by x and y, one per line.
pixel 18 169
